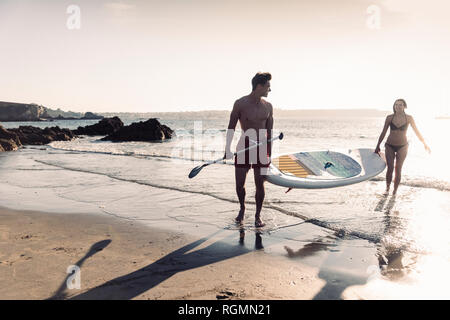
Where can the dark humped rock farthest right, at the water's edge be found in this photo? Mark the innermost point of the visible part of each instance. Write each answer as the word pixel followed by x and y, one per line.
pixel 150 130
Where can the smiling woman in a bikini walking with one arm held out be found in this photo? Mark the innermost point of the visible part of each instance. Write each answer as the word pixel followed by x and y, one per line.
pixel 396 144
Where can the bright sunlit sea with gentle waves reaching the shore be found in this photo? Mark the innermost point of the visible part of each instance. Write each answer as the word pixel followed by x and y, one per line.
pixel 415 222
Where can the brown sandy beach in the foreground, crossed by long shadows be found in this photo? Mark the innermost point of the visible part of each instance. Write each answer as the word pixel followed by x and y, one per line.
pixel 125 260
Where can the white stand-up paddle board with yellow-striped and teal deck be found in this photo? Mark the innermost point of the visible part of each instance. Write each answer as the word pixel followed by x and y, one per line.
pixel 325 169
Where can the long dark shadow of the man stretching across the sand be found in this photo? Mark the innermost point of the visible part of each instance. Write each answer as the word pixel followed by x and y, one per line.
pixel 133 284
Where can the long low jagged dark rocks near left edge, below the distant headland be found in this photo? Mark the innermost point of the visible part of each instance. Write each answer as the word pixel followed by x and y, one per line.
pixel 37 136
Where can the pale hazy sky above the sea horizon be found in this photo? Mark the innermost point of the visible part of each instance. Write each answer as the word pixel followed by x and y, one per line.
pixel 175 55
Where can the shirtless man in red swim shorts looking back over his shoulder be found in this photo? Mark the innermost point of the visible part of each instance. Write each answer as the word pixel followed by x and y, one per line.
pixel 256 118
